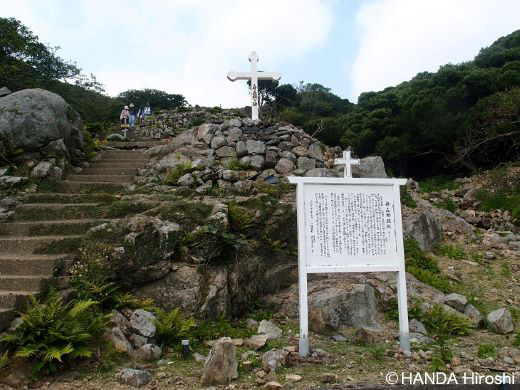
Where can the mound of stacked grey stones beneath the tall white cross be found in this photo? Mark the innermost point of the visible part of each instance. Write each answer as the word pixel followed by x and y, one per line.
pixel 237 153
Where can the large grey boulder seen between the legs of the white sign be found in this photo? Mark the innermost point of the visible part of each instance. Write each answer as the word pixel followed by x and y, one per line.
pixel 347 307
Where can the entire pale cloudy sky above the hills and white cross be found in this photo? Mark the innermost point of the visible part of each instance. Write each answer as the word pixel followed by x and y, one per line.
pixel 188 46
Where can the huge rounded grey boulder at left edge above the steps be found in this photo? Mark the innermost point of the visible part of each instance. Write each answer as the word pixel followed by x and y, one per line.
pixel 32 118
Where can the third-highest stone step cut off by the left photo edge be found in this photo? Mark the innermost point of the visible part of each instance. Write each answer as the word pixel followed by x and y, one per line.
pixel 30 264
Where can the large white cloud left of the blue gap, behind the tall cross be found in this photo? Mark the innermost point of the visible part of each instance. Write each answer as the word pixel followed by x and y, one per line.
pixel 182 46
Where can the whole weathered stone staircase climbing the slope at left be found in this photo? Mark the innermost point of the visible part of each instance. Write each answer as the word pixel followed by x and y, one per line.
pixel 34 245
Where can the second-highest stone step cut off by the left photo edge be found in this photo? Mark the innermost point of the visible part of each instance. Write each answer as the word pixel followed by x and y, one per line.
pixel 42 244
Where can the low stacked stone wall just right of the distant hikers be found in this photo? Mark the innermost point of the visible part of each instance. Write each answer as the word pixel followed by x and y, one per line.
pixel 170 123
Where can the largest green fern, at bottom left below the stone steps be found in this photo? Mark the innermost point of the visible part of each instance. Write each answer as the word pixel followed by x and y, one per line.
pixel 53 331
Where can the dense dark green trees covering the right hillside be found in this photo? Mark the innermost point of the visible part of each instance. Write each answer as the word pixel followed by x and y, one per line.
pixel 463 116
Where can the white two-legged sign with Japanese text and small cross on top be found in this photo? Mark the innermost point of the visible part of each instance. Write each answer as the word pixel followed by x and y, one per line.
pixel 349 225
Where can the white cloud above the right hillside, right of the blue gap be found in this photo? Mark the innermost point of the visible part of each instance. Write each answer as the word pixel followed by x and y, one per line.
pixel 400 38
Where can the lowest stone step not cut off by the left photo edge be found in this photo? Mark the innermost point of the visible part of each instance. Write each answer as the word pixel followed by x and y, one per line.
pixel 35 212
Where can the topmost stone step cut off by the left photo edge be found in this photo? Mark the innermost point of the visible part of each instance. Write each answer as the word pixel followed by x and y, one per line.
pixel 64 227
